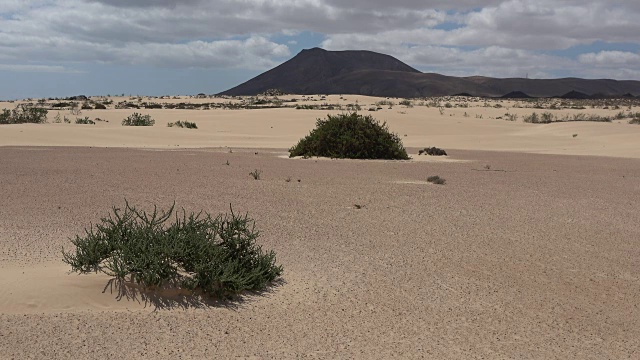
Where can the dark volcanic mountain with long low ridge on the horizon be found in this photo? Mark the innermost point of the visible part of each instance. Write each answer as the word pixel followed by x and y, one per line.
pixel 317 71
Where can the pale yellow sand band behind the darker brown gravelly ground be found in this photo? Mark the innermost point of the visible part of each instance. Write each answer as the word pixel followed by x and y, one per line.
pixel 419 126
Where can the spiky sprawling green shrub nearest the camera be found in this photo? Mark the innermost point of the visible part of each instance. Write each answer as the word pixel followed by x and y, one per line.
pixel 218 256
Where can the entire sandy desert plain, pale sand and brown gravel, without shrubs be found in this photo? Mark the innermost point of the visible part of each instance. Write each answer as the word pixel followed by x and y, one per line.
pixel 531 250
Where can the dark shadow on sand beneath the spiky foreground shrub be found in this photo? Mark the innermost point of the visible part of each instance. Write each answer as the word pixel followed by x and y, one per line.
pixel 172 297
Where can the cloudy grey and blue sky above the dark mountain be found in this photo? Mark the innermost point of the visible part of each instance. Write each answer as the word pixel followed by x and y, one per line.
pixel 156 47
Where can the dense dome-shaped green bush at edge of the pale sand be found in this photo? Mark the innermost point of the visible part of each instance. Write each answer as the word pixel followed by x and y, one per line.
pixel 350 136
